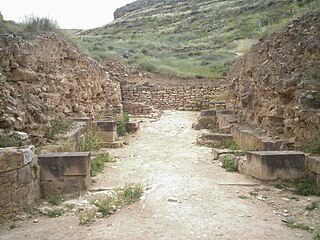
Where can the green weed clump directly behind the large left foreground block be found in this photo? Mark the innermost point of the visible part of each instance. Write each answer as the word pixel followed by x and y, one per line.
pixel 89 142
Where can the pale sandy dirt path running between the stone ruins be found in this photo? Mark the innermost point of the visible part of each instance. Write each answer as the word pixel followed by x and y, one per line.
pixel 163 156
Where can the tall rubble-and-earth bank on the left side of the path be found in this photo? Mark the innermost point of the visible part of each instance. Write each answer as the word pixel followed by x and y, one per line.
pixel 49 78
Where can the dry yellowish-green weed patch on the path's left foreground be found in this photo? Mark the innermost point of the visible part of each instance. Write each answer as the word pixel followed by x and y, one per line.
pixel 108 205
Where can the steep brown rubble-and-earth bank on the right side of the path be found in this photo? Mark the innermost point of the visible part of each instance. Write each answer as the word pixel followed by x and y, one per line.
pixel 274 86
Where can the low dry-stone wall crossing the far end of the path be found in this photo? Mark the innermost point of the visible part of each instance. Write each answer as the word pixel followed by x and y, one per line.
pixel 140 99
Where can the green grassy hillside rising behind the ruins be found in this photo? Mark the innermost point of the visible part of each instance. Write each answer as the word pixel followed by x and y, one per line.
pixel 194 39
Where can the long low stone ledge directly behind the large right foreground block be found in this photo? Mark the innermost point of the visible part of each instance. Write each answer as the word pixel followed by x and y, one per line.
pixel 254 139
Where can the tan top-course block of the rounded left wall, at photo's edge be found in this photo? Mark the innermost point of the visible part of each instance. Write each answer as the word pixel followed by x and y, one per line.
pixel 10 159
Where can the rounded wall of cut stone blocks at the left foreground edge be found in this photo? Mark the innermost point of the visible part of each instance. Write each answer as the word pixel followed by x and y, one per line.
pixel 19 179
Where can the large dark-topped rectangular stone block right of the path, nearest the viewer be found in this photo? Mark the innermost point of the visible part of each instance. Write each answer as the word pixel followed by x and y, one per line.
pixel 275 165
